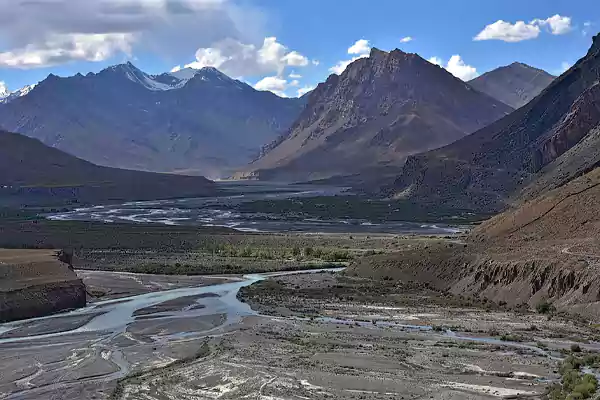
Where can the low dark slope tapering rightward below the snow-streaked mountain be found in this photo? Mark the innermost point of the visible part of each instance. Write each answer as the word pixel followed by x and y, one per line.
pixel 31 170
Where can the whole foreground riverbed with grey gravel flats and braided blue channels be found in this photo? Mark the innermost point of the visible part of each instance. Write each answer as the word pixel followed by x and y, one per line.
pixel 319 335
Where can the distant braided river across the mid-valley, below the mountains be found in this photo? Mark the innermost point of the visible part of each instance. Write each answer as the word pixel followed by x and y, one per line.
pixel 222 211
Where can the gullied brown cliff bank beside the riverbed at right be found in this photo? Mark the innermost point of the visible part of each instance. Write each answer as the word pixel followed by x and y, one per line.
pixel 550 273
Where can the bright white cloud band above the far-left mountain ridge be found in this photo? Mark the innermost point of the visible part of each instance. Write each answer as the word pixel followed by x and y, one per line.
pixel 60 49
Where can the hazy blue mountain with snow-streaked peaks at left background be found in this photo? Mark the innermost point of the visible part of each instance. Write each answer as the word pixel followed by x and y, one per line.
pixel 201 123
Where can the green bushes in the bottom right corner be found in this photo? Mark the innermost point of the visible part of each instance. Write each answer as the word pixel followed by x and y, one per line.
pixel 574 384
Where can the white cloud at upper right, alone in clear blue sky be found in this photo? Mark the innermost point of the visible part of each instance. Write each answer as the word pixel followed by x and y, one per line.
pixel 520 30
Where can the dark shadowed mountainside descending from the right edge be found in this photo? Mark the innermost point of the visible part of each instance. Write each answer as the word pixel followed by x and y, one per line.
pixel 540 147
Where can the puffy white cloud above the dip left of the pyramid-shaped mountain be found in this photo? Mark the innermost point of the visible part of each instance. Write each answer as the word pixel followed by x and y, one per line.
pixel 238 59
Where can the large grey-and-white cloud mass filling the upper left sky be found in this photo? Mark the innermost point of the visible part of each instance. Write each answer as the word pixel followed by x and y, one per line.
pixel 48 32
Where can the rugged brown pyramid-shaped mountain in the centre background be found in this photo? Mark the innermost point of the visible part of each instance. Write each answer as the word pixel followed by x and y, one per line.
pixel 380 110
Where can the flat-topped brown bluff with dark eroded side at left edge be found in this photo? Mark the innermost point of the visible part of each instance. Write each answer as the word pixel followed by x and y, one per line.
pixel 33 283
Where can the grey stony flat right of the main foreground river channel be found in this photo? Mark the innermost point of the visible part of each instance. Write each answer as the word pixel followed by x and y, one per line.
pixel 332 336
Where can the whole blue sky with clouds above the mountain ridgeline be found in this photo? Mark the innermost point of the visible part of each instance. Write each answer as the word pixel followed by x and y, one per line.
pixel 286 46
